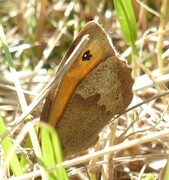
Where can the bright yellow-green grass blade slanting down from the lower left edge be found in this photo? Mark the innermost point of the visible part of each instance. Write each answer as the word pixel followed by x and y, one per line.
pixel 11 156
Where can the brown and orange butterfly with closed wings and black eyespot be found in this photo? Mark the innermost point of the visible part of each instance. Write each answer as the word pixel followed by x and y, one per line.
pixel 97 86
